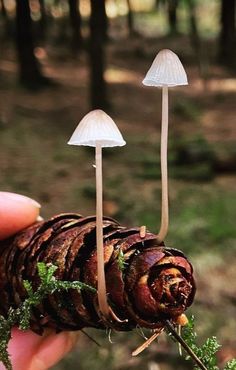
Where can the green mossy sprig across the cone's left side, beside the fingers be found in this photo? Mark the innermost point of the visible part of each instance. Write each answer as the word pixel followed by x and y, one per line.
pixel 21 316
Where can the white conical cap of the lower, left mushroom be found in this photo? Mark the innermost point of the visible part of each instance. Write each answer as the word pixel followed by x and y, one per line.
pixel 97 128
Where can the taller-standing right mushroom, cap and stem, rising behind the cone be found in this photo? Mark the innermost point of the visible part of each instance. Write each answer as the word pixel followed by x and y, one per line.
pixel 165 71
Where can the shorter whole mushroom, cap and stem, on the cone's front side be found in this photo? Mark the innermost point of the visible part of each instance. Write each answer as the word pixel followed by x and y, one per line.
pixel 98 130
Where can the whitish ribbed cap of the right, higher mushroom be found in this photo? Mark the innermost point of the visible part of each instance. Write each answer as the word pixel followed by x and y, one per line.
pixel 166 70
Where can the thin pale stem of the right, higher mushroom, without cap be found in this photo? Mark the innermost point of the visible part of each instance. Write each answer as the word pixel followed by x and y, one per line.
pixel 164 167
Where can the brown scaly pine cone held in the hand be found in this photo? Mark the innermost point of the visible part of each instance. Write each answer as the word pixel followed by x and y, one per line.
pixel 152 283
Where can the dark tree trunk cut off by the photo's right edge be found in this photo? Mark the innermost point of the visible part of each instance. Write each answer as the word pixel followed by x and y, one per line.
pixel 227 45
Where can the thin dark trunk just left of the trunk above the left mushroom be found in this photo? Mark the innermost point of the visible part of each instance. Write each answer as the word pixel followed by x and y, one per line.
pixel 75 19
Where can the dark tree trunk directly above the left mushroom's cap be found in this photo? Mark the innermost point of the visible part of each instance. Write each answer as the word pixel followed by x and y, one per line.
pixel 98 92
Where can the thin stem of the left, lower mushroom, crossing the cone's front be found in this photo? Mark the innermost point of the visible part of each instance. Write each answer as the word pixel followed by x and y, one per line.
pixel 102 298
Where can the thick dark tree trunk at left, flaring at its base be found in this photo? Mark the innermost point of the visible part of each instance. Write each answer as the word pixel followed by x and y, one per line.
pixel 29 71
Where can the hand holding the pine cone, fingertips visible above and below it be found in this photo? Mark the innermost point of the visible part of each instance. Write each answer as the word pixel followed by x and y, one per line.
pixel 28 350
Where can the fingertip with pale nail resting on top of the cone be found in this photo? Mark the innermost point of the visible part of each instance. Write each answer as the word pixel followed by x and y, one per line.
pixel 16 213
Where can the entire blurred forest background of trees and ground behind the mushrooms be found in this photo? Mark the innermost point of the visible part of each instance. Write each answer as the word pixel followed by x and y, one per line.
pixel 59 59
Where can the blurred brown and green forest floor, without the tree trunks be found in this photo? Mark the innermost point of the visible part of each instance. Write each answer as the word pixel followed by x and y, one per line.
pixel 35 160
